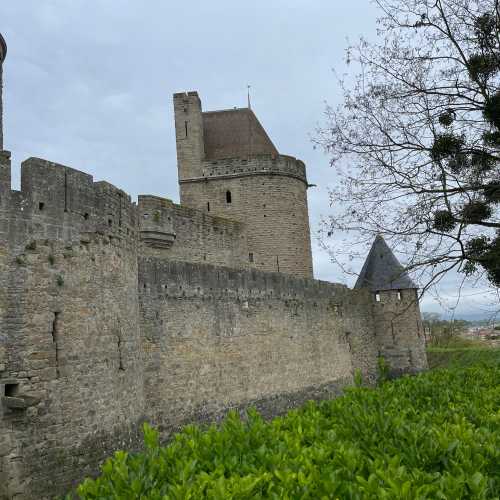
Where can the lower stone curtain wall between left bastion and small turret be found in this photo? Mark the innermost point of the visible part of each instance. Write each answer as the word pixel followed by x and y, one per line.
pixel 217 338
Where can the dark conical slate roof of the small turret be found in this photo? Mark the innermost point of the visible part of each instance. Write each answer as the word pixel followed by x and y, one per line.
pixel 382 271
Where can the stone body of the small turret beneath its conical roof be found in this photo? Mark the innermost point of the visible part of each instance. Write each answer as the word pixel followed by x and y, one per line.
pixel 399 331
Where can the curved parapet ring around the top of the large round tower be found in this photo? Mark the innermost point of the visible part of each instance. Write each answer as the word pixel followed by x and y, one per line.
pixel 255 165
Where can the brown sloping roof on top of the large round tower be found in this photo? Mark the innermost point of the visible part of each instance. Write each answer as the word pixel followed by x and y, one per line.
pixel 234 133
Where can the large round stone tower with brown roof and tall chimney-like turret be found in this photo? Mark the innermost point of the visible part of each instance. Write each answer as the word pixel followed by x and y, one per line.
pixel 229 167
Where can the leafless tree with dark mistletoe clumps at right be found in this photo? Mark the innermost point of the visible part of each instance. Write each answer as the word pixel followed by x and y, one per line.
pixel 416 141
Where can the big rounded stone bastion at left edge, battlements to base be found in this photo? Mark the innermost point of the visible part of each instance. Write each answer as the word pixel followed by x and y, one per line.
pixel 70 352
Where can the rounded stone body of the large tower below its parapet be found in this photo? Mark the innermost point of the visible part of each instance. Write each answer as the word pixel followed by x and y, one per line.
pixel 274 211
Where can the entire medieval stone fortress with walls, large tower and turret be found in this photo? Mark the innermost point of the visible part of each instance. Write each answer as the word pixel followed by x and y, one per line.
pixel 114 312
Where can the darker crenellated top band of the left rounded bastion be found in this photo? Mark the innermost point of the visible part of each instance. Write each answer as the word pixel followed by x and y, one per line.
pixel 58 202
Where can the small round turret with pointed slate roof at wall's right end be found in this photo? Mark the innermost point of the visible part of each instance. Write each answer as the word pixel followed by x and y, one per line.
pixel 396 312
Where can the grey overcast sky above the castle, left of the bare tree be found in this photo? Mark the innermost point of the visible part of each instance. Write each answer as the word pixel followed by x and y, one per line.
pixel 89 84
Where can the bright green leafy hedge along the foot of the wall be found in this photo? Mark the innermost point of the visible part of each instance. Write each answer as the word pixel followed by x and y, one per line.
pixel 434 436
